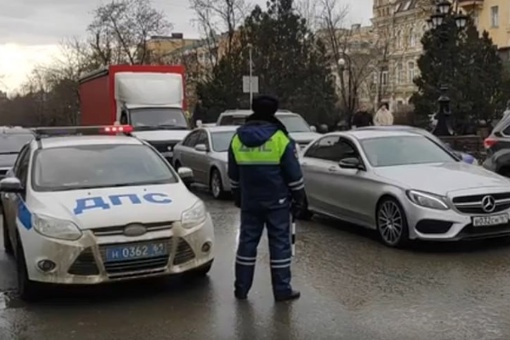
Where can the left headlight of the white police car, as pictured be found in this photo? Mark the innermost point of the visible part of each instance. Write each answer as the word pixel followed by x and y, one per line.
pixel 55 228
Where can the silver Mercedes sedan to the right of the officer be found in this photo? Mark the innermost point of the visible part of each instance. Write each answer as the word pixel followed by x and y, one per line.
pixel 405 186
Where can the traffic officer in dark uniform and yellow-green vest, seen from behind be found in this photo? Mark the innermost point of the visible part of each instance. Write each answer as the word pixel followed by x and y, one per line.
pixel 266 181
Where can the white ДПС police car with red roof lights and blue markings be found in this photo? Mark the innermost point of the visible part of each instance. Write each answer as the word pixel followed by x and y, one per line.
pixel 84 208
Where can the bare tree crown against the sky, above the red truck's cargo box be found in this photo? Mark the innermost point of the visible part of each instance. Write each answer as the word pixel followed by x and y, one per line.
pixel 120 30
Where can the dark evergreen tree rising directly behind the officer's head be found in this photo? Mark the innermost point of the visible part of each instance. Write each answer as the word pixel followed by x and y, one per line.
pixel 288 59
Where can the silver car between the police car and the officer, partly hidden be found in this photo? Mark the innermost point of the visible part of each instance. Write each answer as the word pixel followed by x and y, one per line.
pixel 205 151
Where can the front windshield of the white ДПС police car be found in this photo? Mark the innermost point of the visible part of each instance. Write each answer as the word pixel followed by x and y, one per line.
pixel 98 166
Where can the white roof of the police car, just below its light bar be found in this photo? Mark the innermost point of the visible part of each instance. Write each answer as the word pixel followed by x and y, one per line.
pixel 58 142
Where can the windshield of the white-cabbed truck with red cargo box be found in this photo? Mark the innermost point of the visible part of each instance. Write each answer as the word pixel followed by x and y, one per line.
pixel 158 117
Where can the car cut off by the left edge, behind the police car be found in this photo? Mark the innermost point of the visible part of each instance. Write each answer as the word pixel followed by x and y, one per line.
pixel 12 140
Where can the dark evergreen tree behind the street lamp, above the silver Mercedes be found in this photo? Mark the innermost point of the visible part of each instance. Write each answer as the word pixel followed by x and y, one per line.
pixel 468 64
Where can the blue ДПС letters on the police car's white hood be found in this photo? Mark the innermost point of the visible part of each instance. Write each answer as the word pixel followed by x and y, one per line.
pixel 107 202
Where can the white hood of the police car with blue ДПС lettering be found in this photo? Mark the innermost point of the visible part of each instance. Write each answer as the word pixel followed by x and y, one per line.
pixel 97 208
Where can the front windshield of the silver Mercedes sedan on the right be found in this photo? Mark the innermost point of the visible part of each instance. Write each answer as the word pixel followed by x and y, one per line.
pixel 403 150
